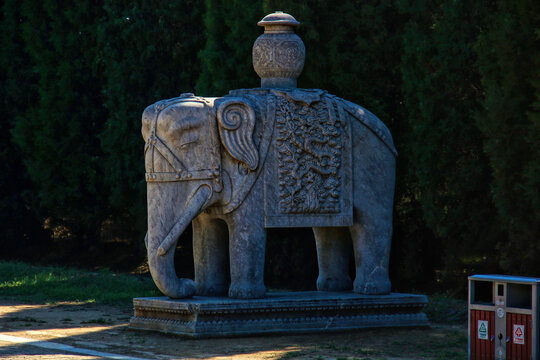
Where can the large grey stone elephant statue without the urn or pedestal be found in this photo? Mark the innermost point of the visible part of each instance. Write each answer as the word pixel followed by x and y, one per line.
pixel 260 158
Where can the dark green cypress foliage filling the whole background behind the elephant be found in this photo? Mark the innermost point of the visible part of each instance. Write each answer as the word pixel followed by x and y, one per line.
pixel 457 83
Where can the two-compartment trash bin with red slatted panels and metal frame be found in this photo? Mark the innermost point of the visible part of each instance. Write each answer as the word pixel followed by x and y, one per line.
pixel 504 317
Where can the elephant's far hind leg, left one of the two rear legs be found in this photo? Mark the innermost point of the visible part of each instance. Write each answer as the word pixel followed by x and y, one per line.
pixel 333 255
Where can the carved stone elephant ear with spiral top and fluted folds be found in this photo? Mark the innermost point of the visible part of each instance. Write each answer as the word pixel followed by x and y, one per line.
pixel 236 120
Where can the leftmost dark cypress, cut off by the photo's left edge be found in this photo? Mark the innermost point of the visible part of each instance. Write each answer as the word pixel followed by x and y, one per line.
pixel 20 226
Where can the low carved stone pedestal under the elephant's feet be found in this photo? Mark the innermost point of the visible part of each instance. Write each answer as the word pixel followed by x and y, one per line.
pixel 278 313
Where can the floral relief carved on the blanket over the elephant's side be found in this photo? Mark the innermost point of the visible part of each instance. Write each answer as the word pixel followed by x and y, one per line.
pixel 309 141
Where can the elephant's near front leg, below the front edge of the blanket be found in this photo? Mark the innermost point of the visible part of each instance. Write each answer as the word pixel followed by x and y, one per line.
pixel 247 242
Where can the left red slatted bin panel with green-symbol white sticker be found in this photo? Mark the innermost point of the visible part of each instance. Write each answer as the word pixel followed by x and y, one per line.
pixel 482 331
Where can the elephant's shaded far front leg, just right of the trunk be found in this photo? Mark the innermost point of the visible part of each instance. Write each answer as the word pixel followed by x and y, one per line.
pixel 210 252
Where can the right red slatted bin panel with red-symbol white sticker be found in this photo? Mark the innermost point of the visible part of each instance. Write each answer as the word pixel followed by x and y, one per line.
pixel 519 334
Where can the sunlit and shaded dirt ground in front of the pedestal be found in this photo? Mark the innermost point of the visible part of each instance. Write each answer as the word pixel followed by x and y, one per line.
pixel 96 331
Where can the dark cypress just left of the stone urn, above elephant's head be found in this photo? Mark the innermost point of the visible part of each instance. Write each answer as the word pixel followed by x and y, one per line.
pixel 230 27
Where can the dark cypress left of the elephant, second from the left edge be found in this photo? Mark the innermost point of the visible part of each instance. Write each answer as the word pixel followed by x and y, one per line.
pixel 58 133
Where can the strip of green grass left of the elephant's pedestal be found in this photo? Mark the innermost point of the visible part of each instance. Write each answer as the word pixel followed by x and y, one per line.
pixel 54 284
